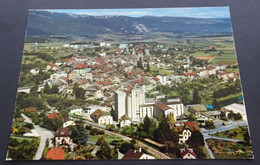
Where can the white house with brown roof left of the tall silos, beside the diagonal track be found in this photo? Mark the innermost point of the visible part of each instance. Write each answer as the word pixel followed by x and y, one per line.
pixel 101 118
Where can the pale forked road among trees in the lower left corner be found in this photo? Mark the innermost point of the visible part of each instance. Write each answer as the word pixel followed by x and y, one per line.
pixel 45 135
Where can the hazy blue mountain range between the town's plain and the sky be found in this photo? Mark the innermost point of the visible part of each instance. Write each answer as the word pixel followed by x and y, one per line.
pixel 51 23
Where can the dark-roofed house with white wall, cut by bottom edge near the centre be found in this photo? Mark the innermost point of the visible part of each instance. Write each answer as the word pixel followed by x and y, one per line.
pixel 133 154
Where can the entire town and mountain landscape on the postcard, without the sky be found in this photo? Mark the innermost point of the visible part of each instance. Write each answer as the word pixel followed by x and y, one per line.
pixel 128 88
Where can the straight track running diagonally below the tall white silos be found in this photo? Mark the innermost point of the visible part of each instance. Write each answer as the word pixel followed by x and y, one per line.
pixel 126 138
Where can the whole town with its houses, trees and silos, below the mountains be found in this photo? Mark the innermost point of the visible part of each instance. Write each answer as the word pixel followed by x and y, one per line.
pixel 132 100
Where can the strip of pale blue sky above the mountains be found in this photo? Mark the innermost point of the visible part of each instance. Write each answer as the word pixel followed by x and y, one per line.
pixel 196 12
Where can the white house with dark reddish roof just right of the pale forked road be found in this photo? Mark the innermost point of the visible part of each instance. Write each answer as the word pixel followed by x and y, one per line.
pixel 62 136
